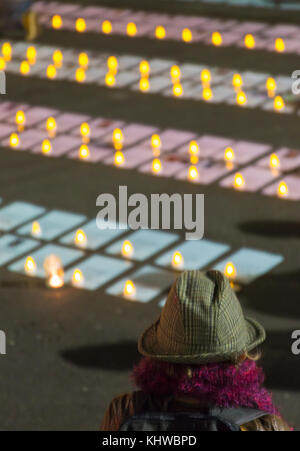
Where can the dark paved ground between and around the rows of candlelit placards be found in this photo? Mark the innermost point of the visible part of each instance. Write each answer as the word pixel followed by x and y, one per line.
pixel 70 352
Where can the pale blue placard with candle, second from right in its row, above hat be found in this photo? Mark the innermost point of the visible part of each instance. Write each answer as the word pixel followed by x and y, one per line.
pixel 196 254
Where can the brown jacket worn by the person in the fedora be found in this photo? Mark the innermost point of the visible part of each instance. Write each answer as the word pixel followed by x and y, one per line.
pixel 124 407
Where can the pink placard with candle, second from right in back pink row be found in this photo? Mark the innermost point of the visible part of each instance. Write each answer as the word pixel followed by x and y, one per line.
pixel 244 152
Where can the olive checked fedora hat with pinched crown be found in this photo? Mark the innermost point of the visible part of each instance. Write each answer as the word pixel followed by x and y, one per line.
pixel 201 322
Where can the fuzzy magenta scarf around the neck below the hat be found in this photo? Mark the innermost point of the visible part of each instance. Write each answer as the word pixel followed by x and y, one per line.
pixel 222 384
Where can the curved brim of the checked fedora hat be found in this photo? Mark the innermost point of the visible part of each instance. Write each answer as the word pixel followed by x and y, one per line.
pixel 149 346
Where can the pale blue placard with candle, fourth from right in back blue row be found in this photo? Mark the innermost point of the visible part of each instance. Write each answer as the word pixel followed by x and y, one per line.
pixel 95 237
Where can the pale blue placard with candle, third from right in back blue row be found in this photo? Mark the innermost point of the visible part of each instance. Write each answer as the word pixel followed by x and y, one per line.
pixel 146 243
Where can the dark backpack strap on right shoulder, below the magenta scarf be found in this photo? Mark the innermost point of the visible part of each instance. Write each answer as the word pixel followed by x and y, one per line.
pixel 237 416
